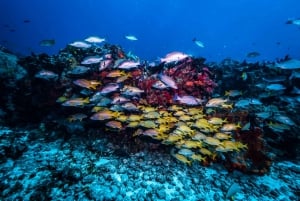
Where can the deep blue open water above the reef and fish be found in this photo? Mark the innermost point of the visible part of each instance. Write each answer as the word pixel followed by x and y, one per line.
pixel 227 28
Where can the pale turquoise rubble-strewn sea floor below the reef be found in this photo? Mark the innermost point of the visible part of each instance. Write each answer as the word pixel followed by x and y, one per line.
pixel 37 167
